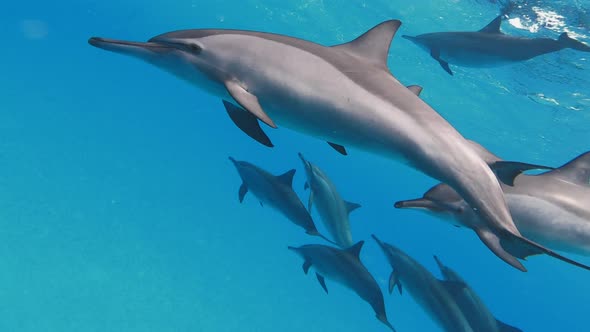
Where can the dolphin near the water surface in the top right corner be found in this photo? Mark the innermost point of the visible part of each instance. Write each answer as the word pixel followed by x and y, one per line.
pixel 489 47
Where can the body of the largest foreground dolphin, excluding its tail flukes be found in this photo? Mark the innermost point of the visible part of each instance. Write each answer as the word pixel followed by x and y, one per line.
pixel 343 94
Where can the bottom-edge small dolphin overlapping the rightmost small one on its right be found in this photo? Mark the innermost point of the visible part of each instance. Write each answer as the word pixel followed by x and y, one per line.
pixel 430 293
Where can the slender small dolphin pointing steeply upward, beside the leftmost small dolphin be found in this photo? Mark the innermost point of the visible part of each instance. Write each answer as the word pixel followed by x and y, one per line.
pixel 332 208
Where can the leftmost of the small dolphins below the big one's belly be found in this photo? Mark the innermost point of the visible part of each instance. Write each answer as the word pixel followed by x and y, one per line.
pixel 276 192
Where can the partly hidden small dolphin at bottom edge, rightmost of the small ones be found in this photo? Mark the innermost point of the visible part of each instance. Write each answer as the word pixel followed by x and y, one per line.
pixel 477 313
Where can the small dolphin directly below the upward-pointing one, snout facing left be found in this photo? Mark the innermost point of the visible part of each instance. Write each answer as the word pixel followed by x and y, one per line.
pixel 345 267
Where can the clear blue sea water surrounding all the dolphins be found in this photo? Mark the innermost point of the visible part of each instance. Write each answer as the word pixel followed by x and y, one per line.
pixel 119 206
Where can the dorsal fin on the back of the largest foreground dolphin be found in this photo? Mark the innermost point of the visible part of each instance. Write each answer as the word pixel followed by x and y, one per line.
pixel 374 44
